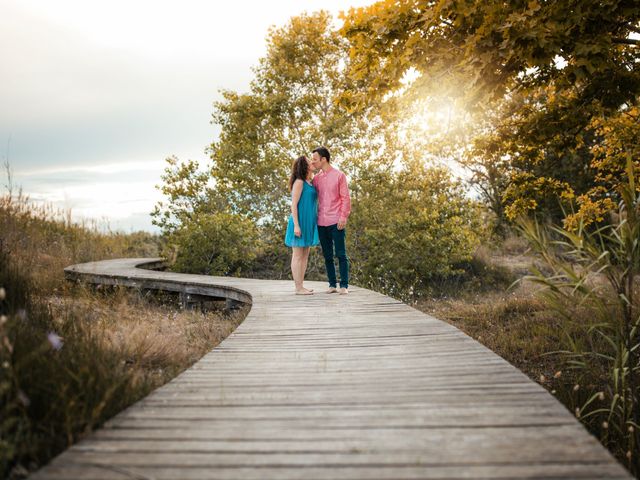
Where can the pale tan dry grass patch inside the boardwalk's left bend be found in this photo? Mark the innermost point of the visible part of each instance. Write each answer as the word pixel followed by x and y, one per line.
pixel 153 336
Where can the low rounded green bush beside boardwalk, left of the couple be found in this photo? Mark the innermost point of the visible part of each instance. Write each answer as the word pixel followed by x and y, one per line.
pixel 216 244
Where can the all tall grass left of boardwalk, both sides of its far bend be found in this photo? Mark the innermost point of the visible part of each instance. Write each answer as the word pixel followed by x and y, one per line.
pixel 71 357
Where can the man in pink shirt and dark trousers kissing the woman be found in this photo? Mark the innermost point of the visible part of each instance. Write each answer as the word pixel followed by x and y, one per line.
pixel 334 206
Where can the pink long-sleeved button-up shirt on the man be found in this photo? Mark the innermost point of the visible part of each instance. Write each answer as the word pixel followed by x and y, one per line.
pixel 334 203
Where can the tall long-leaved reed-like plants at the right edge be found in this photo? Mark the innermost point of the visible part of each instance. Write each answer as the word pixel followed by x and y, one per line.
pixel 594 285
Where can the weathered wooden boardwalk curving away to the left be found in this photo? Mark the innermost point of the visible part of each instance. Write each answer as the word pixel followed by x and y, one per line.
pixel 332 387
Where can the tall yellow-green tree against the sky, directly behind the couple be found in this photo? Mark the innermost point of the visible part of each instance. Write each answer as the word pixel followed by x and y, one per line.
pixel 289 110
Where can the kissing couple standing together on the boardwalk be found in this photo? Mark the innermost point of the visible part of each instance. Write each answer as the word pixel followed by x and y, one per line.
pixel 320 207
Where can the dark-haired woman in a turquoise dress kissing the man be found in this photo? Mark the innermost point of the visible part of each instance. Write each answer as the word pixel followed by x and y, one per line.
pixel 302 230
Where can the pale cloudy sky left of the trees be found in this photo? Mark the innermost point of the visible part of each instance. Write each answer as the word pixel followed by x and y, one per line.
pixel 96 94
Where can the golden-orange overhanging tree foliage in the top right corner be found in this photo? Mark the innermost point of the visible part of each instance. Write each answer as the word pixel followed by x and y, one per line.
pixel 544 75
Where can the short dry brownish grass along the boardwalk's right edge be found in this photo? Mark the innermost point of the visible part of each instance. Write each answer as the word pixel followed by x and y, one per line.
pixel 525 330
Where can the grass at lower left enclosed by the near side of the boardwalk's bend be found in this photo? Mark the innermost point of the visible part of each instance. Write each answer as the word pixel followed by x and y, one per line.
pixel 116 347
